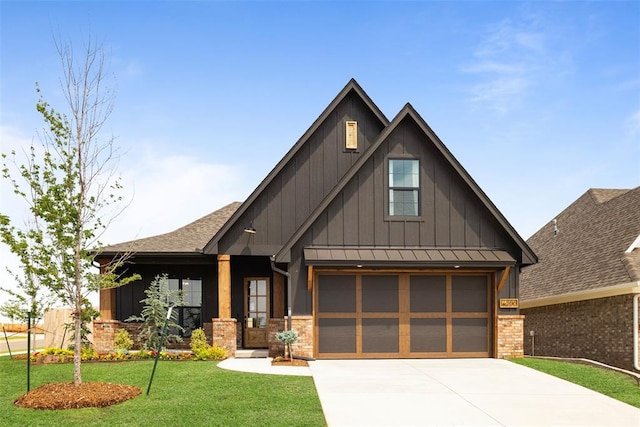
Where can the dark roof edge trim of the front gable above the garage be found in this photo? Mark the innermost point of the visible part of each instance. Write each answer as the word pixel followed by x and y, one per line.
pixel 528 256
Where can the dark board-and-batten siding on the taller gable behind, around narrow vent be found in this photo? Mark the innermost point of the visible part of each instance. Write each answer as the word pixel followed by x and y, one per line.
pixel 306 180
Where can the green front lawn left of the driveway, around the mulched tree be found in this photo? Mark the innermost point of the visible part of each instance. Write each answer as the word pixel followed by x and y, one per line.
pixel 182 393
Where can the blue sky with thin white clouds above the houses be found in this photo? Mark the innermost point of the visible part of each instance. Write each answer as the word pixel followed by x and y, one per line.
pixel 539 101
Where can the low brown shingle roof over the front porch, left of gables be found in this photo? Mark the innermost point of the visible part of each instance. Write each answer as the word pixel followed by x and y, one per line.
pixel 190 238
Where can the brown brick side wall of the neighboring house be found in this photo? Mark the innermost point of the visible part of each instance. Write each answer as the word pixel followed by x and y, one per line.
pixel 598 329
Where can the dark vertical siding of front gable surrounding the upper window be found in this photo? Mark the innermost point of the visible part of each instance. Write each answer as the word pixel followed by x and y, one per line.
pixel 452 215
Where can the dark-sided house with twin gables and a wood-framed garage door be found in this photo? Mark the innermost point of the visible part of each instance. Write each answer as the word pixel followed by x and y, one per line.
pixel 368 238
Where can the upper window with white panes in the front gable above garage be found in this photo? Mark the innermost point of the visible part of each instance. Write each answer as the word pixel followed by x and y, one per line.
pixel 404 187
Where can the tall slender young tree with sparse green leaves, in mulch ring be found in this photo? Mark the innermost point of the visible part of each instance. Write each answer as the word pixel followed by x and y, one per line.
pixel 71 188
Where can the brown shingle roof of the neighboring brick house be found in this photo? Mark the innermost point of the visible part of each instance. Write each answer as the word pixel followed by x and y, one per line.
pixel 588 252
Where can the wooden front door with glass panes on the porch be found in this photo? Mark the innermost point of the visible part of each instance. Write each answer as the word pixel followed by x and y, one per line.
pixel 256 312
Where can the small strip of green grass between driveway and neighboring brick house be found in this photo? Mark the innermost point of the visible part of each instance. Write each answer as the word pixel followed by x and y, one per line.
pixel 614 384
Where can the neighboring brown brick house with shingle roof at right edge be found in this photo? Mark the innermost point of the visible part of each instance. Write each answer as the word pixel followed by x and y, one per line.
pixel 578 300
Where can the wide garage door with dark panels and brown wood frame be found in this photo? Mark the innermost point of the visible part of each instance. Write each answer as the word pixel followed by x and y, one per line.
pixel 402 315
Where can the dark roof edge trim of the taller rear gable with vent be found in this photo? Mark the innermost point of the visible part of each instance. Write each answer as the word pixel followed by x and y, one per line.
pixel 352 86
